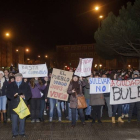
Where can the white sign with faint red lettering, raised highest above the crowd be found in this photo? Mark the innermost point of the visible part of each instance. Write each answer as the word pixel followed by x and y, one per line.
pixel 84 67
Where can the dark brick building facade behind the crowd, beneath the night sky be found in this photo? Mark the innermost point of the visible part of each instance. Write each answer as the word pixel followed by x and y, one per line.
pixel 68 56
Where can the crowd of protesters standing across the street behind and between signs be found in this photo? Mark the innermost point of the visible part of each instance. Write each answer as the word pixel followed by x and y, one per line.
pixel 34 92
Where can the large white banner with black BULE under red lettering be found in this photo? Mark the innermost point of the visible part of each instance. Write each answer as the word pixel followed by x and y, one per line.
pixel 126 91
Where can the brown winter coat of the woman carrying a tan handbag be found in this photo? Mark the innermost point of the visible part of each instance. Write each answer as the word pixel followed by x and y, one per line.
pixel 73 100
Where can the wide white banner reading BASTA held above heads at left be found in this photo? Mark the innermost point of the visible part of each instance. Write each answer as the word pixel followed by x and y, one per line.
pixel 30 71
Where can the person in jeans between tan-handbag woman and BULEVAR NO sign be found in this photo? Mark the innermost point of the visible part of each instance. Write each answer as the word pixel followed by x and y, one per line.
pixel 87 97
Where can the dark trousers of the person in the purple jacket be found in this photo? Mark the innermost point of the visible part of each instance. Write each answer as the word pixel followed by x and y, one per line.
pixel 35 108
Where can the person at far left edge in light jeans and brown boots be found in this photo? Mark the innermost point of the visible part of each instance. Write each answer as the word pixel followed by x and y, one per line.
pixel 3 98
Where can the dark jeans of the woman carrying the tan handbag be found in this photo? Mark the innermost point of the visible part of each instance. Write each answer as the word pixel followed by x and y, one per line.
pixel 73 114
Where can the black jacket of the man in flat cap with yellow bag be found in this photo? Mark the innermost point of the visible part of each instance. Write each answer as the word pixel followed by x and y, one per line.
pixel 12 89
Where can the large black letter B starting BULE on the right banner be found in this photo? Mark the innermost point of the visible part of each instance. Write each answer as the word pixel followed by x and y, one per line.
pixel 117 90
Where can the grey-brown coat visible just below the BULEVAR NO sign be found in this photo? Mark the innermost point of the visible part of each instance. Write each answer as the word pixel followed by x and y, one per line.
pixel 97 99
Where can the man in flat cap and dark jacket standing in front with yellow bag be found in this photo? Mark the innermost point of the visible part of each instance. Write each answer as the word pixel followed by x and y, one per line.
pixel 14 91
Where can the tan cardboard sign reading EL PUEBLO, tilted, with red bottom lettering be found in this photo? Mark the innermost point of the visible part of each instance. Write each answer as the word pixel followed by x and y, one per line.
pixel 60 81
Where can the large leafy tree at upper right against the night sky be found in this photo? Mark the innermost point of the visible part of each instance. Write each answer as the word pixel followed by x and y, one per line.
pixel 120 35
